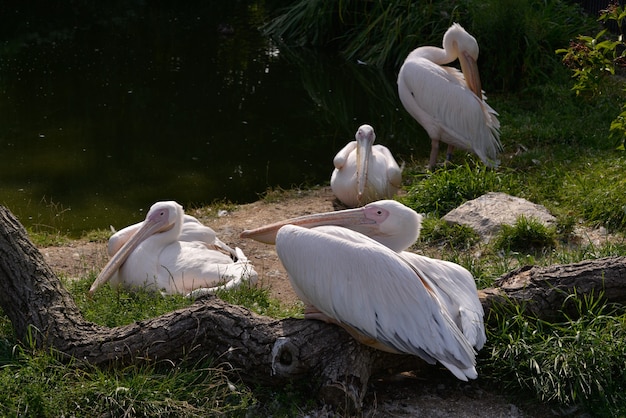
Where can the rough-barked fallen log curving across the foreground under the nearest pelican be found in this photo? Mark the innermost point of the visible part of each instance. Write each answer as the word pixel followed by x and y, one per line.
pixel 260 350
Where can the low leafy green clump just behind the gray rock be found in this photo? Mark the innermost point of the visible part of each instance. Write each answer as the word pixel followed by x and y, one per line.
pixel 444 190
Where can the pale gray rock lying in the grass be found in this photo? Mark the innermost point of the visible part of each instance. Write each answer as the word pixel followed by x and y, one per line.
pixel 489 212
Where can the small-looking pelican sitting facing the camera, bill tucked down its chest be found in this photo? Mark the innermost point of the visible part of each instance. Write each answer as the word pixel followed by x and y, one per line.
pixel 364 172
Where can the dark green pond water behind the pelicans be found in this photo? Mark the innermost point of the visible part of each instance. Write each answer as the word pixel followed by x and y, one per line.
pixel 106 111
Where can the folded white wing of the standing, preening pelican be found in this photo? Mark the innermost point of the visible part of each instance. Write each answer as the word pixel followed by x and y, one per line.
pixel 438 98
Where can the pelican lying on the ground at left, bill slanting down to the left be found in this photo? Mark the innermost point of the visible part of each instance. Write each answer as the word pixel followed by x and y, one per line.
pixel 173 253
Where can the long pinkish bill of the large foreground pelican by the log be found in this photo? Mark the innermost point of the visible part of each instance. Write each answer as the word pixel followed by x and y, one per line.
pixel 267 234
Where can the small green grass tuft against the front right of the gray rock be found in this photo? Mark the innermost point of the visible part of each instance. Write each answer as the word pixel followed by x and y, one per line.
pixel 526 235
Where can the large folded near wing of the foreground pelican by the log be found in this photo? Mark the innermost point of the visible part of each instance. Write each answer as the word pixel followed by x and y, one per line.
pixel 367 286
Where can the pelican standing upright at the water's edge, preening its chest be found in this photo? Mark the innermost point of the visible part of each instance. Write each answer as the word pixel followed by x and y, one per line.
pixel 450 105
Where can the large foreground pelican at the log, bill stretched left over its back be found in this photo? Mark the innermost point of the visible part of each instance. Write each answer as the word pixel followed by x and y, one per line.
pixel 362 279
